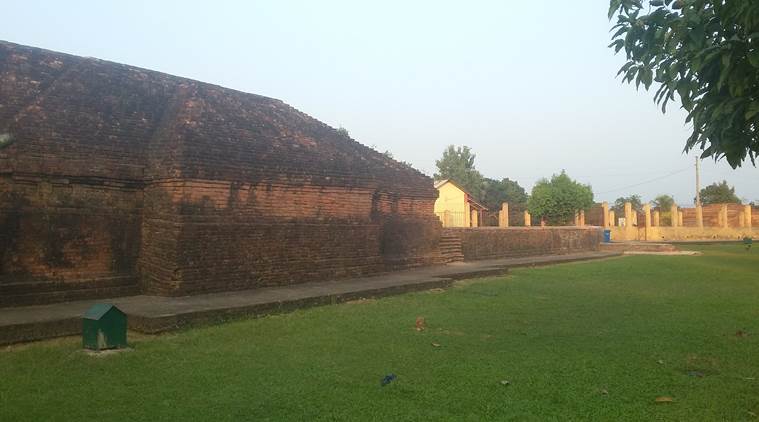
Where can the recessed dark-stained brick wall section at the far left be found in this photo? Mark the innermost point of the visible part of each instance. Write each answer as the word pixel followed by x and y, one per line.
pixel 62 231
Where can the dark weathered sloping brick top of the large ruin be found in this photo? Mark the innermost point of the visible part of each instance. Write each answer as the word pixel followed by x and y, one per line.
pixel 86 117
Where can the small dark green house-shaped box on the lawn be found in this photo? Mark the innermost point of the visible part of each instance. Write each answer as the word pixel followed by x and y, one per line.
pixel 104 327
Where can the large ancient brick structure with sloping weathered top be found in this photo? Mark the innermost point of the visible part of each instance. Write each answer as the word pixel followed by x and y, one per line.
pixel 115 179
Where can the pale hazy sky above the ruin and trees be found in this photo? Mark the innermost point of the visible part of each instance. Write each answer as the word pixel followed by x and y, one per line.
pixel 528 85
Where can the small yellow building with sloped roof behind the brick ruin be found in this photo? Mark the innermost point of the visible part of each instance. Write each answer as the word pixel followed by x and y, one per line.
pixel 456 207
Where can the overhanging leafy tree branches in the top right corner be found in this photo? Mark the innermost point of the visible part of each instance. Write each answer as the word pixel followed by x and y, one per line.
pixel 705 52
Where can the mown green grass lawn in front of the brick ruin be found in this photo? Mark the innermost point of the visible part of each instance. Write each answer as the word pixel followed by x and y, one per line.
pixel 598 340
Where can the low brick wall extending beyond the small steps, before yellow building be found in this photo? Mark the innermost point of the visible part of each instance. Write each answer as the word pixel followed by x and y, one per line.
pixel 491 242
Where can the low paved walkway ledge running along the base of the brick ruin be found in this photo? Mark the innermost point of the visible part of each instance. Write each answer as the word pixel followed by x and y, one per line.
pixel 155 314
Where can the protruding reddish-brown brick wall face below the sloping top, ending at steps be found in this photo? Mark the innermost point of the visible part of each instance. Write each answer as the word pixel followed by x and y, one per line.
pixel 220 236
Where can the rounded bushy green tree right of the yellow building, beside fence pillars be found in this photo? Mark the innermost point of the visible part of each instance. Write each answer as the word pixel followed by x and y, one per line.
pixel 558 199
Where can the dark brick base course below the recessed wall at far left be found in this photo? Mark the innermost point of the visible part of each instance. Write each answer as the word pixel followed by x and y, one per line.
pixel 42 293
